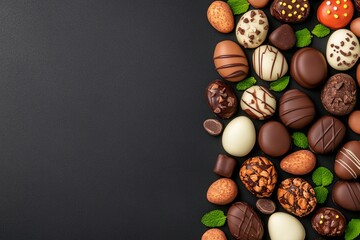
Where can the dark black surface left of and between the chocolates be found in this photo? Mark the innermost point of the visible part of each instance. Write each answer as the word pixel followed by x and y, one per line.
pixel 101 111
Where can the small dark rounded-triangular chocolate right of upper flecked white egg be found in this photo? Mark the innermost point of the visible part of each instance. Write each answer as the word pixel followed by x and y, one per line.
pixel 283 37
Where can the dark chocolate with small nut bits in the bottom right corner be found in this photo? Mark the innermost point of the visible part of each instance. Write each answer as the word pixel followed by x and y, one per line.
pixel 329 222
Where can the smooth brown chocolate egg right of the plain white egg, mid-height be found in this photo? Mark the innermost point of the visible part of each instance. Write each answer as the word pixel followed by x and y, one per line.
pixel 274 139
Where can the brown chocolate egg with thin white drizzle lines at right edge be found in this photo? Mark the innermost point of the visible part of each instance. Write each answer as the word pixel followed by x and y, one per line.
pixel 347 161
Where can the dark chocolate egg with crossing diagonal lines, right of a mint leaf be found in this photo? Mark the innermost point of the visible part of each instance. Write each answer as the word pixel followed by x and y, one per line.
pixel 325 134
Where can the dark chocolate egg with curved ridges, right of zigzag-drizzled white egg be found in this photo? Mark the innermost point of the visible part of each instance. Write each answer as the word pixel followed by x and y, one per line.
pixel 296 109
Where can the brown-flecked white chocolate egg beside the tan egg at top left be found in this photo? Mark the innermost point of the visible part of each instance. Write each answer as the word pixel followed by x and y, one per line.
pixel 252 29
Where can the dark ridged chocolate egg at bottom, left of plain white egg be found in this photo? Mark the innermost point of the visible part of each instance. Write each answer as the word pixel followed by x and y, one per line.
pixel 244 223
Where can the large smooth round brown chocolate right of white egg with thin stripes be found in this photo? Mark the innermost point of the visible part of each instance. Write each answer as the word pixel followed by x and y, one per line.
pixel 308 67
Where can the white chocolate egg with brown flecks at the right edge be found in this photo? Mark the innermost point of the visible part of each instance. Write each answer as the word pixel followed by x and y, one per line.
pixel 342 50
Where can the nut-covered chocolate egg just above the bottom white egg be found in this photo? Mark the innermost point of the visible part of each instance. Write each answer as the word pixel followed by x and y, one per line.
pixel 297 196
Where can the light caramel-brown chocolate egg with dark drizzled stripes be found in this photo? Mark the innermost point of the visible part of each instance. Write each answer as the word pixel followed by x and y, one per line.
pixel 230 61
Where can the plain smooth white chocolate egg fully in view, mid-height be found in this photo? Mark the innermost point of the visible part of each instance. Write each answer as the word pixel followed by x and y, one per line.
pixel 239 136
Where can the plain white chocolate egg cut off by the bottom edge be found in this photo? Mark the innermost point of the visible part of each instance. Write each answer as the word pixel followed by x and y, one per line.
pixel 283 226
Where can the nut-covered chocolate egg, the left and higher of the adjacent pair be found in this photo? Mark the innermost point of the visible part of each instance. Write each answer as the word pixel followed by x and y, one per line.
pixel 259 176
